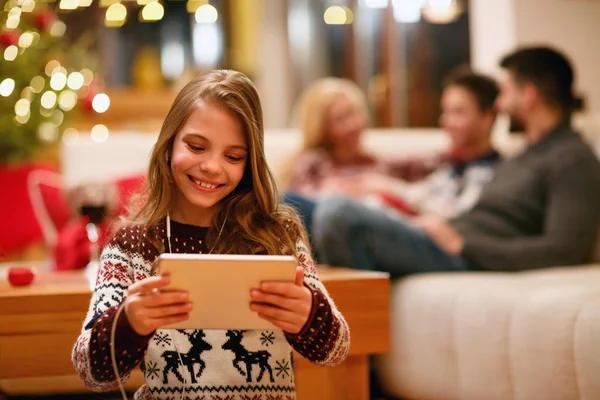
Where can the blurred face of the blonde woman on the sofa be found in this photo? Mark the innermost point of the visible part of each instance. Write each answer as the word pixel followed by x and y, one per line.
pixel 345 122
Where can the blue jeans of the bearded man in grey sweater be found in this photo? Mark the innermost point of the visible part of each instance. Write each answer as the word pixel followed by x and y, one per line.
pixel 349 234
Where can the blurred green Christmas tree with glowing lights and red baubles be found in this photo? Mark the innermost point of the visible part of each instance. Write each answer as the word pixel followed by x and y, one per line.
pixel 44 79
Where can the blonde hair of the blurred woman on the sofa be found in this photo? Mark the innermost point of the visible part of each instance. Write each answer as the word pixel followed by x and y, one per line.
pixel 312 111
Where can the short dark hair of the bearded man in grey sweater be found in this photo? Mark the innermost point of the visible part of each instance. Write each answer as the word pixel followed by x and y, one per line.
pixel 549 71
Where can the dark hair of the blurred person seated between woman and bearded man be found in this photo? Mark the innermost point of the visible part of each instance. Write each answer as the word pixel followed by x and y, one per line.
pixel 484 88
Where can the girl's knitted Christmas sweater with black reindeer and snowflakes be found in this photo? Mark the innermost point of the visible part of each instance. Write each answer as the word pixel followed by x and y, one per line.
pixel 198 364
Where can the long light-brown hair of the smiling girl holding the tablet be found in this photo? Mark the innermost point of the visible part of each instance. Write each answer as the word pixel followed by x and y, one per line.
pixel 256 222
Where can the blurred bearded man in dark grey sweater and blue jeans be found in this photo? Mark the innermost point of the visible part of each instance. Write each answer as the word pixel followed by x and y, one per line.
pixel 541 209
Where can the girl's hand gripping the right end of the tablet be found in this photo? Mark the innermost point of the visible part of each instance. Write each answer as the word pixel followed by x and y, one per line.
pixel 285 305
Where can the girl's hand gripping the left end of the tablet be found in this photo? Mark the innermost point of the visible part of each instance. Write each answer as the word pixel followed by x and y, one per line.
pixel 147 308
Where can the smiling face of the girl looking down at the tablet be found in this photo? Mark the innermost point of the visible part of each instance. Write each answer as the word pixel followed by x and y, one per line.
pixel 209 156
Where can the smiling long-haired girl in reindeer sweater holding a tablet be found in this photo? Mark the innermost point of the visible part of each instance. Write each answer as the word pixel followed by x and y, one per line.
pixel 209 191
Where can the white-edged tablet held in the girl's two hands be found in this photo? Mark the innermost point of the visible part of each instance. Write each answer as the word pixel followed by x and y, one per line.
pixel 219 286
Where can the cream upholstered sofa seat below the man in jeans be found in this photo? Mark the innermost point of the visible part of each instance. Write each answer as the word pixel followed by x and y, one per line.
pixel 472 336
